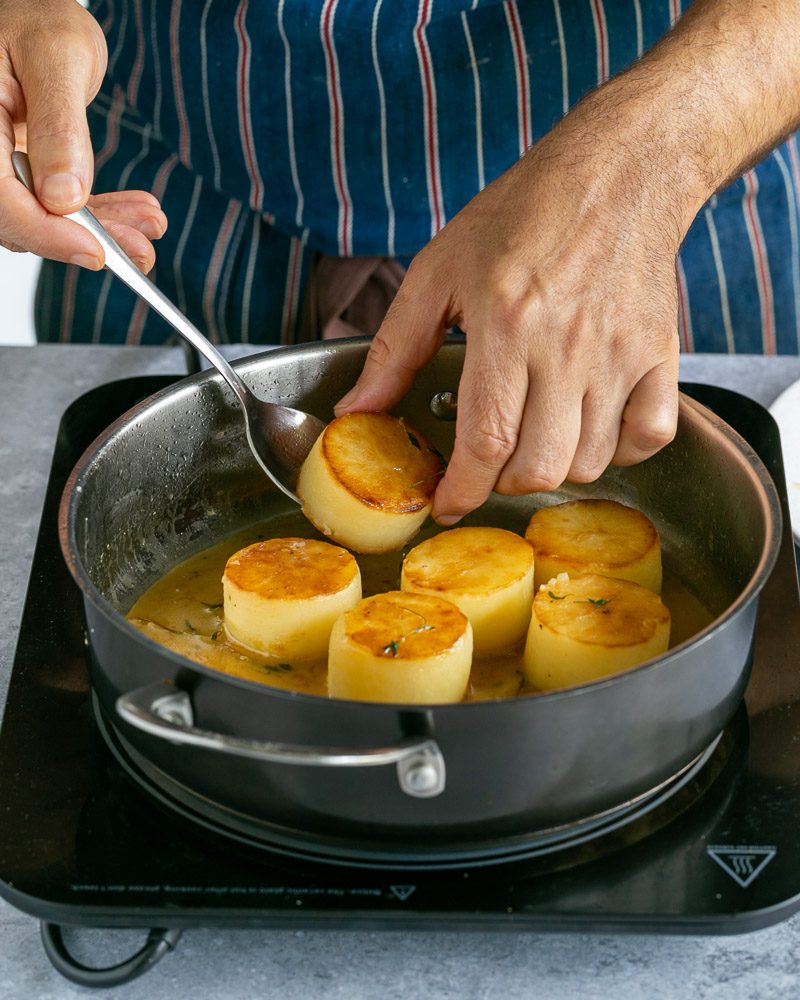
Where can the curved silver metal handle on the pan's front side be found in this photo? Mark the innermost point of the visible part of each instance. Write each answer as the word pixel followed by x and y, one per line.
pixel 165 711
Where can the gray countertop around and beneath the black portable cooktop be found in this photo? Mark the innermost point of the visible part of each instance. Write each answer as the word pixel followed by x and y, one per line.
pixel 36 384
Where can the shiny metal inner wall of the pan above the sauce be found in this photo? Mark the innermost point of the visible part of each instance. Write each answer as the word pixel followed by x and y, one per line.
pixel 176 476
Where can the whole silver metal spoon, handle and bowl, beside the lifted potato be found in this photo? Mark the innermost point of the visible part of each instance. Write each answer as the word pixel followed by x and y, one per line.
pixel 279 436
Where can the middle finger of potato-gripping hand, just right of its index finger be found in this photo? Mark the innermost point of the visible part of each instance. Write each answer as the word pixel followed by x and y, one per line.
pixel 548 437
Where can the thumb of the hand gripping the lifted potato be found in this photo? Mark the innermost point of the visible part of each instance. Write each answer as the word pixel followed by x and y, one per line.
pixel 408 338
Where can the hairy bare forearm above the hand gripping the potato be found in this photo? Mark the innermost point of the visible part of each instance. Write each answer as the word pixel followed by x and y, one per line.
pixel 716 93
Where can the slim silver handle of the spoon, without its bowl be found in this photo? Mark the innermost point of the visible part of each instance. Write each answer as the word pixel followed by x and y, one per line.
pixel 119 262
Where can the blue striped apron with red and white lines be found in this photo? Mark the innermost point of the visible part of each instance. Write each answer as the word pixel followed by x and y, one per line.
pixel 271 129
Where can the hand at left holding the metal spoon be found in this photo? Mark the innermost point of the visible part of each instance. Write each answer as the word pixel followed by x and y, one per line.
pixel 52 60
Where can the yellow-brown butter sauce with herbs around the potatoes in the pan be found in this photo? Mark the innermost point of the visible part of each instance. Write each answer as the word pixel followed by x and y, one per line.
pixel 183 611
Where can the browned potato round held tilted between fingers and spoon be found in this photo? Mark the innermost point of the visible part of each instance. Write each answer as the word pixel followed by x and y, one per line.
pixel 368 482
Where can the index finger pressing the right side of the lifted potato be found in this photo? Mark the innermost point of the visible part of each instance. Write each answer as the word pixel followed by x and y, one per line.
pixel 491 396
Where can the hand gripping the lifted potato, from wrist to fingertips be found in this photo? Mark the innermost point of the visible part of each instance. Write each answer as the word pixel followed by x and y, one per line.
pixel 562 275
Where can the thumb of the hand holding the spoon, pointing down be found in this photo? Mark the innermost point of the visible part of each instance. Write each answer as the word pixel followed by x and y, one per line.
pixel 57 86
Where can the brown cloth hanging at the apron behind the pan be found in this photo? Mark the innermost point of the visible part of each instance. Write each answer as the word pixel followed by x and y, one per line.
pixel 348 296
